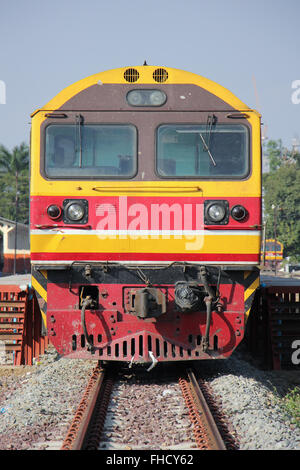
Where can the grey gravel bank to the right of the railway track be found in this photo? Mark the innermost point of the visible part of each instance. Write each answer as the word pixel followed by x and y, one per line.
pixel 250 399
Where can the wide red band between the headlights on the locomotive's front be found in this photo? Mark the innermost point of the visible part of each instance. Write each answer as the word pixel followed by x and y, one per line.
pixel 147 213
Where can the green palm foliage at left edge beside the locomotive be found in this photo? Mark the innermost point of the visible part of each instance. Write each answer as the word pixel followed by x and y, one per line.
pixel 14 183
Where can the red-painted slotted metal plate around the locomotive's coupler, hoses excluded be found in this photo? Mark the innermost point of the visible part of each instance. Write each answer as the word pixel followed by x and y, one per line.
pixel 121 336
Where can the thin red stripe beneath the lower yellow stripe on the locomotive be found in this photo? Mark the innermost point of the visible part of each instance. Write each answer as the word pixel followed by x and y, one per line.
pixel 145 257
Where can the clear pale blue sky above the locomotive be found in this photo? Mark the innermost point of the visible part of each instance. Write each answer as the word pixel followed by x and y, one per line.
pixel 45 46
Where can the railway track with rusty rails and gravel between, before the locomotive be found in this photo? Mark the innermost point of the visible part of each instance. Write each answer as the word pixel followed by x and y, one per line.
pixel 92 427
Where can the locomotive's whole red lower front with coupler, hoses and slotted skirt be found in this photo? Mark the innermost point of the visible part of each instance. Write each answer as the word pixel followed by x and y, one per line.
pixel 145 313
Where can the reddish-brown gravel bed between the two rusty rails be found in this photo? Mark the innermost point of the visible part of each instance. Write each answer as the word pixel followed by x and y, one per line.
pixel 146 413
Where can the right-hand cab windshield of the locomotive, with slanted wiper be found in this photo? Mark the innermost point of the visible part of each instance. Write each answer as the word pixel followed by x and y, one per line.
pixel 194 151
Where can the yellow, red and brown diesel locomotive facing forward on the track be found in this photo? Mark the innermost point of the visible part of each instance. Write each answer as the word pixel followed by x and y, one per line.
pixel 145 216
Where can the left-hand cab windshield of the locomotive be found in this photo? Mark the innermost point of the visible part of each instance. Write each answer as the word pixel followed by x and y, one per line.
pixel 102 151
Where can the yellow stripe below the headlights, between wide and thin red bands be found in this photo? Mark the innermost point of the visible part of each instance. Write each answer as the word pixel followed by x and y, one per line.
pixel 62 243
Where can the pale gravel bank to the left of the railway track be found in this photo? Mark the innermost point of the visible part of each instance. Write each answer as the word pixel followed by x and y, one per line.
pixel 37 406
